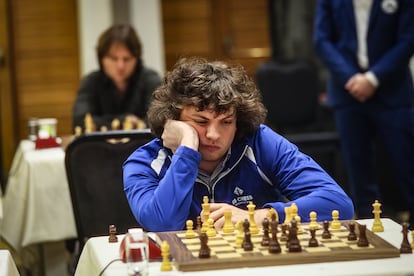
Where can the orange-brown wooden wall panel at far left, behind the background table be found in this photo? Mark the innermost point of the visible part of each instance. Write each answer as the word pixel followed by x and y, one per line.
pixel 45 40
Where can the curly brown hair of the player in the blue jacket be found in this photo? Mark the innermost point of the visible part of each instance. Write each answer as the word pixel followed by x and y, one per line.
pixel 208 85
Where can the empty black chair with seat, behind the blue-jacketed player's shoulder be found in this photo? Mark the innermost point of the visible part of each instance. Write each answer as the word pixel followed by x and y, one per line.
pixel 290 93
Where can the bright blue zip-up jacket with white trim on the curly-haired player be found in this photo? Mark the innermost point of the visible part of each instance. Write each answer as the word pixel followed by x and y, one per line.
pixel 164 191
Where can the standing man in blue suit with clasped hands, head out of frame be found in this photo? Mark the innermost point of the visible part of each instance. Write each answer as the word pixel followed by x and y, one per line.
pixel 366 46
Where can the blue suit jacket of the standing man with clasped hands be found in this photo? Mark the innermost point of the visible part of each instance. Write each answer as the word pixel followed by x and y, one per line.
pixel 390 43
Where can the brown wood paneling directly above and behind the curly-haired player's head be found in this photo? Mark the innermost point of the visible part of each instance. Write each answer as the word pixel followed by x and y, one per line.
pixel 231 30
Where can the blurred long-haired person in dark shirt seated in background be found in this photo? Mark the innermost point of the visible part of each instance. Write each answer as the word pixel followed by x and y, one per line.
pixel 122 87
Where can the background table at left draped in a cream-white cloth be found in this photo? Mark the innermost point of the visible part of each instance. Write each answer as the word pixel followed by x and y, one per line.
pixel 37 208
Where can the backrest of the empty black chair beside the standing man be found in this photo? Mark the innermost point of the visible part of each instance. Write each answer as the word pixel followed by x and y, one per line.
pixel 290 92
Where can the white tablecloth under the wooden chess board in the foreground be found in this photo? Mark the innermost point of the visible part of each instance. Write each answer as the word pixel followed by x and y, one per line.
pixel 98 253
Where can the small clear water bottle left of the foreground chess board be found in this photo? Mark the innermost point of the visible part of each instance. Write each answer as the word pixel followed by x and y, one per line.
pixel 137 252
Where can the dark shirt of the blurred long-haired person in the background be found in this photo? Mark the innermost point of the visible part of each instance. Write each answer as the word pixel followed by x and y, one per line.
pixel 99 96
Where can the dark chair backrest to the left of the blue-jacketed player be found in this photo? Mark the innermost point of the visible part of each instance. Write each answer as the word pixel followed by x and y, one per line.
pixel 94 171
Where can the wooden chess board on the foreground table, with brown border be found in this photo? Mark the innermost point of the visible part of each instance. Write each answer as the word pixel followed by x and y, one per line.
pixel 225 254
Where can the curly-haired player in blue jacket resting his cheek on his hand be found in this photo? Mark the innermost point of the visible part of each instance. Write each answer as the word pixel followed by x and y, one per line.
pixel 208 117
